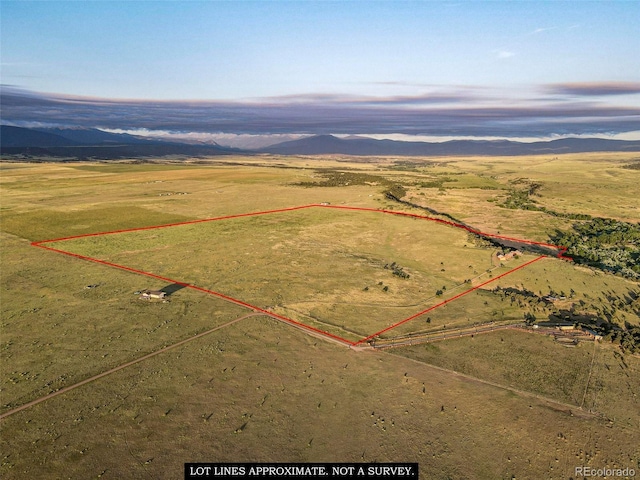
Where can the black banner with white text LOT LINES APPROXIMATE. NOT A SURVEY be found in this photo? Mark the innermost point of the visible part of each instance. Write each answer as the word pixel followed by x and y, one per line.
pixel 301 471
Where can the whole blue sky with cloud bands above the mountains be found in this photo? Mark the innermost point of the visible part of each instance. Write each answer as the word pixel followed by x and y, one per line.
pixel 392 69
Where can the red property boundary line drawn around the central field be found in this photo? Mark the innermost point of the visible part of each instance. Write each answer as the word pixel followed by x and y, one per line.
pixel 41 244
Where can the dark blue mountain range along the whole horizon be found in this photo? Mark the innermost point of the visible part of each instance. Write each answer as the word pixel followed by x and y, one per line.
pixel 84 143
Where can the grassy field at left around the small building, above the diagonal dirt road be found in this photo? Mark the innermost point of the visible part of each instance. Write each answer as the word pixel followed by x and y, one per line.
pixel 61 332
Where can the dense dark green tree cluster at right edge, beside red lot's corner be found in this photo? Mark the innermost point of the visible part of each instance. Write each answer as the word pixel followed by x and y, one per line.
pixel 607 244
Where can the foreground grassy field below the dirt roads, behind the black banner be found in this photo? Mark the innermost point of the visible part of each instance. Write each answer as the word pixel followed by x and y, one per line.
pixel 260 391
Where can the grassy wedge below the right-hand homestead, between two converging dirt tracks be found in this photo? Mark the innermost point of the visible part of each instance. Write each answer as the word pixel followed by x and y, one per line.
pixel 590 375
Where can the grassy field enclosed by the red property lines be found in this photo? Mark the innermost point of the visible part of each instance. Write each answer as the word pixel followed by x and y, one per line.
pixel 328 267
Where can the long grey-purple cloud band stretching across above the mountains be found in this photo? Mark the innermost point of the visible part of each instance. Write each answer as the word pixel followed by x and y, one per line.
pixel 454 113
